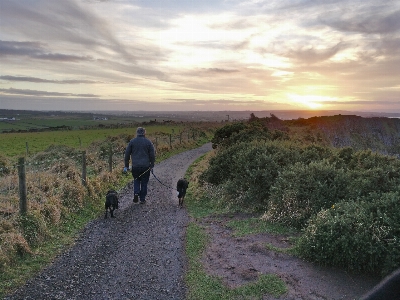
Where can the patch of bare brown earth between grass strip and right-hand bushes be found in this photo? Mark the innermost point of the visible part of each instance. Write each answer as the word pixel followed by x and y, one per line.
pixel 240 260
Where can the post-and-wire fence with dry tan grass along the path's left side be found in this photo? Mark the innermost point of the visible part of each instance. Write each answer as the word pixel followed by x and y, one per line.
pixel 33 180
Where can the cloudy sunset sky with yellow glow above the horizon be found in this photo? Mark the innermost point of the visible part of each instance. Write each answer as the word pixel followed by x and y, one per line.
pixel 203 55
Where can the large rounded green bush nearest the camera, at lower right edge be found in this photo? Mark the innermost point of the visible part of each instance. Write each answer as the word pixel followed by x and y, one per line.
pixel 357 236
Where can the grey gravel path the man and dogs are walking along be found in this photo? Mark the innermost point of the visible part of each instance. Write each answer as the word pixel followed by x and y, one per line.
pixel 137 255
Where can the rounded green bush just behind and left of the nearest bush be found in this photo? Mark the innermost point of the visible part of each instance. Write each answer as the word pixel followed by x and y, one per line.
pixel 302 190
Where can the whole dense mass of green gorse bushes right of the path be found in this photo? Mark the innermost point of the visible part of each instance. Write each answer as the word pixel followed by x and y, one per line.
pixel 346 201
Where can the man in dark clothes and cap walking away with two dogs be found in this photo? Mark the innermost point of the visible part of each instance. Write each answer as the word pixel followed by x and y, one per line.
pixel 141 151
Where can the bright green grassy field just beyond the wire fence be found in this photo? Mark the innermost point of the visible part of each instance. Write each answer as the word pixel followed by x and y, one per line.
pixel 14 144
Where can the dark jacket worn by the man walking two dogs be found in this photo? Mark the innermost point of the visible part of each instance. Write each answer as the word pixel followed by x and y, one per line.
pixel 141 151
